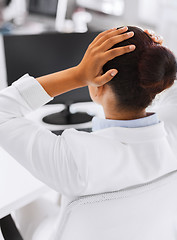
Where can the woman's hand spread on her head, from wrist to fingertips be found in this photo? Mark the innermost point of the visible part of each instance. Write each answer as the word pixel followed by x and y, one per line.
pixel 99 52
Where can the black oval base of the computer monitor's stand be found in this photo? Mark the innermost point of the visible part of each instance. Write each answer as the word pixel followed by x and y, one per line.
pixel 65 117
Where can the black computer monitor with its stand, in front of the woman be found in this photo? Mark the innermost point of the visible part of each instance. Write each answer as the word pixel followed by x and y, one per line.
pixel 46 53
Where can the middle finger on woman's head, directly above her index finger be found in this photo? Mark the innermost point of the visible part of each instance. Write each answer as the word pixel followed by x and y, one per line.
pixel 114 40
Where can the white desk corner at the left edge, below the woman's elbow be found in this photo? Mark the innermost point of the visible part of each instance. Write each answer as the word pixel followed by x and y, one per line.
pixel 17 186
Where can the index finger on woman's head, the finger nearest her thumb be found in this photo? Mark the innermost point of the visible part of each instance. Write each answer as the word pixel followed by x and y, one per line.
pixel 118 52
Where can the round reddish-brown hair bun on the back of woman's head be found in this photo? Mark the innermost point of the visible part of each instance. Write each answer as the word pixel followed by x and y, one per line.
pixel 157 69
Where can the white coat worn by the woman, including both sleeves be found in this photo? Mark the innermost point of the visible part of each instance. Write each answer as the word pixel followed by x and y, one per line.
pixel 80 163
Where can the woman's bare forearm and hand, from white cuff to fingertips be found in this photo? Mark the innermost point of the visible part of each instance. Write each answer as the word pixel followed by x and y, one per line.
pixel 89 71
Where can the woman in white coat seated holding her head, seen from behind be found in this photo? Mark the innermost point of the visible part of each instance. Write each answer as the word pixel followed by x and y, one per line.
pixel 124 146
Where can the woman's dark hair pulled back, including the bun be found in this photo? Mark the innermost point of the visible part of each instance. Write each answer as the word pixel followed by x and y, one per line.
pixel 143 73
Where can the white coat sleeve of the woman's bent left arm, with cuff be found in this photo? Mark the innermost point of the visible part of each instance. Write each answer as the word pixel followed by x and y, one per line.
pixel 44 154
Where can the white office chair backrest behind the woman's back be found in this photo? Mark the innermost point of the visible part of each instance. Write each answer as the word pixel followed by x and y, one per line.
pixel 97 217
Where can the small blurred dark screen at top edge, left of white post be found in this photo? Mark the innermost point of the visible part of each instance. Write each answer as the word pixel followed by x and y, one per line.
pixel 43 7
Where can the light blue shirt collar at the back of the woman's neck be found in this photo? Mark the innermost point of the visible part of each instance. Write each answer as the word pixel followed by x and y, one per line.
pixel 99 123
